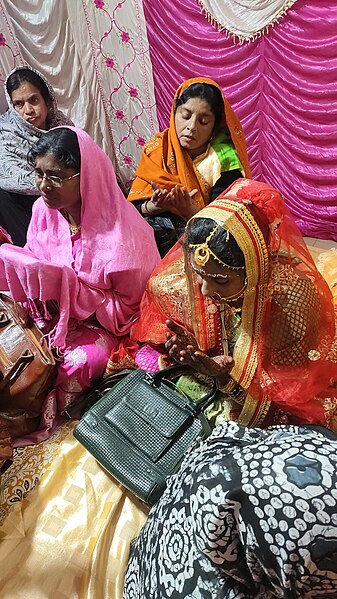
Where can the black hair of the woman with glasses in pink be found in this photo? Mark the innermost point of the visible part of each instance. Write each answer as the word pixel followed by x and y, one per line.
pixel 61 143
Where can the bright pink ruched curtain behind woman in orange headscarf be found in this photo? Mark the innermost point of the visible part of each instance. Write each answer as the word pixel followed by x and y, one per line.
pixel 283 87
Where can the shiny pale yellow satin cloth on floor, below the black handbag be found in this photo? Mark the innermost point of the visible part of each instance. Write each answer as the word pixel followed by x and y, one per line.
pixel 70 537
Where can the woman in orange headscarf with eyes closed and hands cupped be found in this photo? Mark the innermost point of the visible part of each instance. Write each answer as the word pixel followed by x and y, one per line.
pixel 189 164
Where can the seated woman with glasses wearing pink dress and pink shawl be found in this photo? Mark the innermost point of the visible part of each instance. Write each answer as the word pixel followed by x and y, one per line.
pixel 84 268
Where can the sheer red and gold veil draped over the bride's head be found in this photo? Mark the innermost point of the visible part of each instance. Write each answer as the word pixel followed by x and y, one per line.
pixel 286 353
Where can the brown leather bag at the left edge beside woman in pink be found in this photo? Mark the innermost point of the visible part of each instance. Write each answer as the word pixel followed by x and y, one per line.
pixel 27 369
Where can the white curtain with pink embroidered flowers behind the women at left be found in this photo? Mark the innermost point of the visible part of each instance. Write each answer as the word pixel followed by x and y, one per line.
pixel 95 54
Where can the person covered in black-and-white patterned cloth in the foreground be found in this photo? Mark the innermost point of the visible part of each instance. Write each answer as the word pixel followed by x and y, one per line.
pixel 250 514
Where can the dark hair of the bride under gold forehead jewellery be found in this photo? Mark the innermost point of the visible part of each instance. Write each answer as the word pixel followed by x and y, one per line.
pixel 222 243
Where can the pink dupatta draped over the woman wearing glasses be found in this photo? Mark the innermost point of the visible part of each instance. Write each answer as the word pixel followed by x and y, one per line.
pixel 114 259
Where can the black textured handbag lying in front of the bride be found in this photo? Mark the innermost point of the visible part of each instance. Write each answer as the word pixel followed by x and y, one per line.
pixel 141 427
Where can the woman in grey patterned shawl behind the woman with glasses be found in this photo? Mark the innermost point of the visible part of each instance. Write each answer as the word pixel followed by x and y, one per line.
pixel 32 110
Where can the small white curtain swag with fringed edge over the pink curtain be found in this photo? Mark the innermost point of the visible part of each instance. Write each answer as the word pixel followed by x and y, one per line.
pixel 244 19
